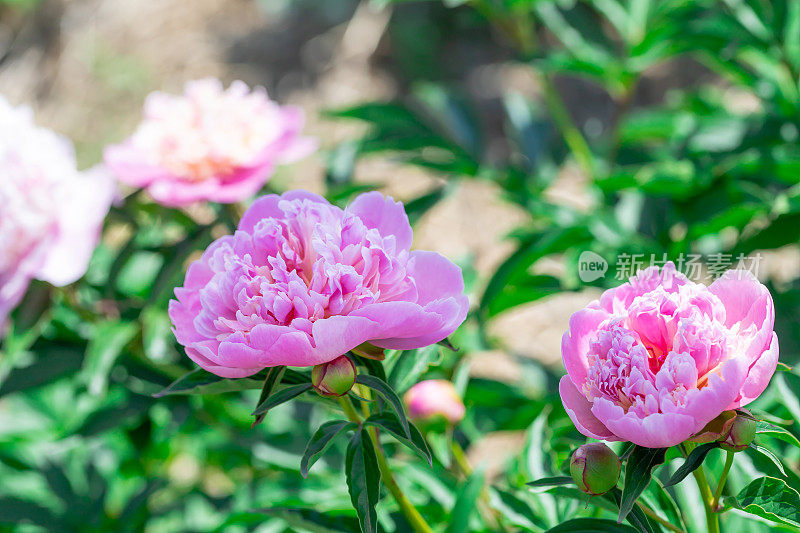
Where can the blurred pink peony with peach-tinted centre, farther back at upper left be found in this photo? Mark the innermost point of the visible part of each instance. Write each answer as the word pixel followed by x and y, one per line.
pixel 209 144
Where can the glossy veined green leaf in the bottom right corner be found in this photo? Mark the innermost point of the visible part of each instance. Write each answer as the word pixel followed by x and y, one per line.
pixel 769 498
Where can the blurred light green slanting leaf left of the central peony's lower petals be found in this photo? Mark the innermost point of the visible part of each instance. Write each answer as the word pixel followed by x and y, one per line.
pixel 104 348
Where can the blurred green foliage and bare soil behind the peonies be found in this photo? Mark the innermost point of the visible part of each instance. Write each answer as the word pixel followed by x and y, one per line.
pixel 520 133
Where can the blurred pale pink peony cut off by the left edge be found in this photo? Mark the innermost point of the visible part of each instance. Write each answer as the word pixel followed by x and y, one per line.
pixel 50 214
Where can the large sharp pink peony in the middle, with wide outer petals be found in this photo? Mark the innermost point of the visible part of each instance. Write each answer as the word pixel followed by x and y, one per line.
pixel 301 282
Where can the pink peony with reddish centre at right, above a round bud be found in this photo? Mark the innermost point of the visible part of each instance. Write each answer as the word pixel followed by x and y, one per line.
pixel 657 358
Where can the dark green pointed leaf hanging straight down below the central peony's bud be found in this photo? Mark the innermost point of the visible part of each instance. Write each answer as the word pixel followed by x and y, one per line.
pixel 363 480
